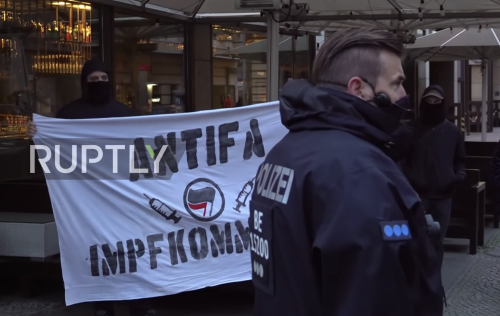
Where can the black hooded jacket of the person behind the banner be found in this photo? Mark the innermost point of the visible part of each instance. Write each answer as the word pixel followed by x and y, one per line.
pixel 82 108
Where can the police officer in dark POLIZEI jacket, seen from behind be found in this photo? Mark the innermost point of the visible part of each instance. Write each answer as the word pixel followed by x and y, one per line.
pixel 336 229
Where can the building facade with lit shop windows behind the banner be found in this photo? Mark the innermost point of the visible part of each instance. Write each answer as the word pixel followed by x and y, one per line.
pixel 159 64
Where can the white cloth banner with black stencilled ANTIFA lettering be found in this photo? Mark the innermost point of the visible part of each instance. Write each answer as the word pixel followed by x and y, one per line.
pixel 154 205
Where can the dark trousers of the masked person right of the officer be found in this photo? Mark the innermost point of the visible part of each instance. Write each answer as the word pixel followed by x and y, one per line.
pixel 440 209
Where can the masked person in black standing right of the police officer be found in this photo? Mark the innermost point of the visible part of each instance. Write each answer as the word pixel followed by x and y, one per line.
pixel 436 163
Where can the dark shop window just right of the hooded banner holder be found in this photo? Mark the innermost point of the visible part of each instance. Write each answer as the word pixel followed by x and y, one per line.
pixel 149 64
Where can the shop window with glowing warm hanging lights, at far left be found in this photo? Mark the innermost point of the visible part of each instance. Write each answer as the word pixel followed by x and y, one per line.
pixel 43 46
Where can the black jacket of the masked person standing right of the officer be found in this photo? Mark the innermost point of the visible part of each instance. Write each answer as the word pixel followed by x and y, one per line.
pixel 436 163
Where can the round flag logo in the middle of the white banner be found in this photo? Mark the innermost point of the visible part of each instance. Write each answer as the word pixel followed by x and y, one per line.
pixel 204 200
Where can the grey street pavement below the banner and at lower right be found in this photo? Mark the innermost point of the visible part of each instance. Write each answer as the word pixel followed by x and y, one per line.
pixel 472 284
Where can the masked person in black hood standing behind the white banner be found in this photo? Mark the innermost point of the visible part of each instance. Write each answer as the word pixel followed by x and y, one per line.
pixel 96 102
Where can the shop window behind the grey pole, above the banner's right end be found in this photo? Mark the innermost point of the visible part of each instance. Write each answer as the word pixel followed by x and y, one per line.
pixel 240 64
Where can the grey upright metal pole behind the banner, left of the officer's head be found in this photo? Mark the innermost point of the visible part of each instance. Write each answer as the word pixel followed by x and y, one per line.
pixel 272 55
